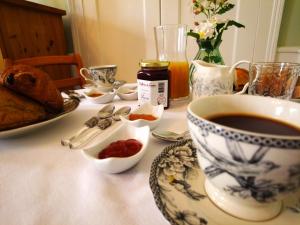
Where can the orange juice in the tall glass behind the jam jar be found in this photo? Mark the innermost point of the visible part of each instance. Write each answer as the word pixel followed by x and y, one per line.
pixel 179 79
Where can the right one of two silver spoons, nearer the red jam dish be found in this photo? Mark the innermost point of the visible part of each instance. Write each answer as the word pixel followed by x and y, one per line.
pixel 102 125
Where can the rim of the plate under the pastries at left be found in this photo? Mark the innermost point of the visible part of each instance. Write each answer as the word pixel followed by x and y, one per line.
pixel 69 106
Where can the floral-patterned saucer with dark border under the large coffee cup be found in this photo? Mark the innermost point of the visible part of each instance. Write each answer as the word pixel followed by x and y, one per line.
pixel 177 183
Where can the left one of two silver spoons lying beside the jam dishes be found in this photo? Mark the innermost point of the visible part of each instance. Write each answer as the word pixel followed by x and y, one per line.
pixel 103 113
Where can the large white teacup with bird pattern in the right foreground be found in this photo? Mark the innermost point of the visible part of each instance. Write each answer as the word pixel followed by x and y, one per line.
pixel 247 173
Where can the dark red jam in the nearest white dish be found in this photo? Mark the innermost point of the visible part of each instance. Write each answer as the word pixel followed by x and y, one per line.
pixel 121 148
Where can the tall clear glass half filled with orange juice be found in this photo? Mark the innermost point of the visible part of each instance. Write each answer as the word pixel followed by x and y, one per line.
pixel 171 46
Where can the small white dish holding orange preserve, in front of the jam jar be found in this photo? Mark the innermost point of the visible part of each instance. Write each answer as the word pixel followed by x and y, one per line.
pixel 146 108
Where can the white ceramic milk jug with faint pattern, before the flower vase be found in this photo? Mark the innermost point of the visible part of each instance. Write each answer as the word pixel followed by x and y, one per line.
pixel 213 79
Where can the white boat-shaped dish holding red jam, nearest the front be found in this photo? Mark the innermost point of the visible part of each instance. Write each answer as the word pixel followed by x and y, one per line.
pixel 116 164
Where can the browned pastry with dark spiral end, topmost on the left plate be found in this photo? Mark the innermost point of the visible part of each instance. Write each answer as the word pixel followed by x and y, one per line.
pixel 34 83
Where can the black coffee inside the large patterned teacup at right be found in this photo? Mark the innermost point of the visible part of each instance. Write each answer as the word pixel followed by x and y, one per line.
pixel 255 124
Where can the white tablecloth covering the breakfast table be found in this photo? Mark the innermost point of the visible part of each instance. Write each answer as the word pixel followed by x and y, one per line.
pixel 42 182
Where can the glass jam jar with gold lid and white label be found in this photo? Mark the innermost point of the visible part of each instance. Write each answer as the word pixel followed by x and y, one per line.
pixel 153 82
